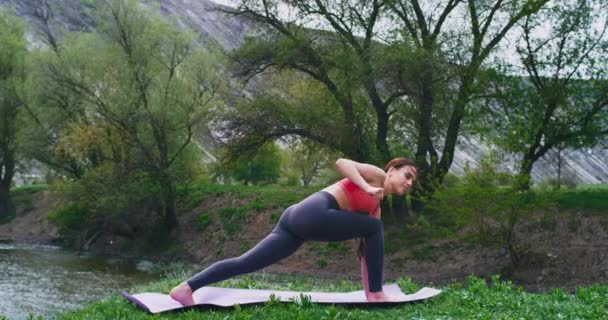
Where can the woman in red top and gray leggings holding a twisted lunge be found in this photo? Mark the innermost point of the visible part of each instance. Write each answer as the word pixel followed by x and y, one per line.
pixel 327 215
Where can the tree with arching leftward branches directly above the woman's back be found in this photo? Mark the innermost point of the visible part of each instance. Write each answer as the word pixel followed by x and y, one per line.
pixel 343 64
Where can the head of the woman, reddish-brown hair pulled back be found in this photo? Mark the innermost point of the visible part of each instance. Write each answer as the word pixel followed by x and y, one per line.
pixel 400 175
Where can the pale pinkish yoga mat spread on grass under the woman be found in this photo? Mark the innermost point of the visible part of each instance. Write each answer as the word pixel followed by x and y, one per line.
pixel 228 297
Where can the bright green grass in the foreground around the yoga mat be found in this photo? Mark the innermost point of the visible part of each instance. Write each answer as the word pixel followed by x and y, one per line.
pixel 475 299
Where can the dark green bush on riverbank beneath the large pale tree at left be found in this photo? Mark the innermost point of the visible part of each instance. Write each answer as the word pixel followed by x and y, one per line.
pixel 105 200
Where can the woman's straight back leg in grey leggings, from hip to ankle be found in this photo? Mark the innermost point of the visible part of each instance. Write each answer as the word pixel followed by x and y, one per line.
pixel 279 244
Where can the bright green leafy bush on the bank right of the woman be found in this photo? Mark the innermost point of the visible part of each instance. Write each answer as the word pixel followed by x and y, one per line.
pixel 485 211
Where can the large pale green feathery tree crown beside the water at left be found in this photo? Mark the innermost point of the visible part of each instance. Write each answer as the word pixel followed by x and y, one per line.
pixel 128 101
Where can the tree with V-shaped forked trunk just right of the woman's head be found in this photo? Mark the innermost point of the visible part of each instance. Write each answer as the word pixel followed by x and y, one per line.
pixel 466 49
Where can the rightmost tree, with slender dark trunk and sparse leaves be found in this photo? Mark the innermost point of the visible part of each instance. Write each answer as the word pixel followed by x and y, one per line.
pixel 563 100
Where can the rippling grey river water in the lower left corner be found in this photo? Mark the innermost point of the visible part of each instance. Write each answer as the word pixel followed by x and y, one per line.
pixel 45 280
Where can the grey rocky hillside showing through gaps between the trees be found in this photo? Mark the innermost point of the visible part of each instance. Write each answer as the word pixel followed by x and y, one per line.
pixel 586 166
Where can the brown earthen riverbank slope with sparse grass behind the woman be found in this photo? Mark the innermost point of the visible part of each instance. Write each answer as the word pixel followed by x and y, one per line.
pixel 570 245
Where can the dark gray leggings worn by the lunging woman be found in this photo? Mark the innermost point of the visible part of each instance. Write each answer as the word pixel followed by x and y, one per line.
pixel 316 218
